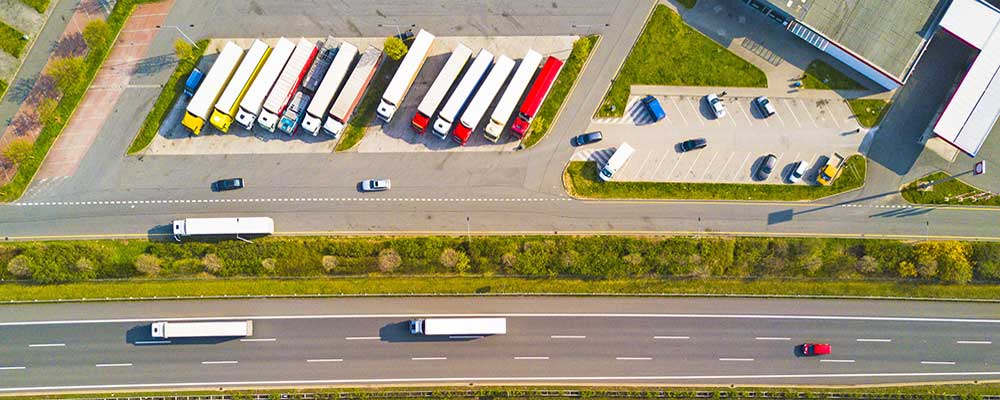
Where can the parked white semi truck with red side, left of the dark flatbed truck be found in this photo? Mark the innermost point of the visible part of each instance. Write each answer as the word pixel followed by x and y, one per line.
pixel 287 83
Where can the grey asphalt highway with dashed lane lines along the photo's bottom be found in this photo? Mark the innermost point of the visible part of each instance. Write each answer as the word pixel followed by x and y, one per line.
pixel 98 346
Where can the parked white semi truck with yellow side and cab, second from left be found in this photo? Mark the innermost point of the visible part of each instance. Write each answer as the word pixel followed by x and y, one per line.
pixel 229 103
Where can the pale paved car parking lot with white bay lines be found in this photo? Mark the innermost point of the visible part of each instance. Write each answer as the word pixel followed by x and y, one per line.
pixel 807 129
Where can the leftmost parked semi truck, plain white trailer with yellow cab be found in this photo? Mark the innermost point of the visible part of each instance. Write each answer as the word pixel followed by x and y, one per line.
pixel 200 108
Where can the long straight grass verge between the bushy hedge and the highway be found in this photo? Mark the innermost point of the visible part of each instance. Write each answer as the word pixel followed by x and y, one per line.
pixel 469 285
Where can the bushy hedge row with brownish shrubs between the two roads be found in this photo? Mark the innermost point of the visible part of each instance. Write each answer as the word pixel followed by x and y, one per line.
pixel 529 256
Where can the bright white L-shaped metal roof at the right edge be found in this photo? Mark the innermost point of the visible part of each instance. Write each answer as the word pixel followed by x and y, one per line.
pixel 974 107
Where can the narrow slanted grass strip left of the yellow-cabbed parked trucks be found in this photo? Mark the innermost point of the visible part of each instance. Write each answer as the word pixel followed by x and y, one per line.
pixel 172 90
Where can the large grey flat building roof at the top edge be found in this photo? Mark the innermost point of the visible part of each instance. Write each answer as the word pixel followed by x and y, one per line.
pixel 886 33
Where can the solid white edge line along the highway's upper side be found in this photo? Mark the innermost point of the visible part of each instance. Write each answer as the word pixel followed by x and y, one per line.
pixel 519 315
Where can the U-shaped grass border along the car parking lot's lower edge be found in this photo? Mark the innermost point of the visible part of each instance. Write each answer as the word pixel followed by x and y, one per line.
pixel 581 181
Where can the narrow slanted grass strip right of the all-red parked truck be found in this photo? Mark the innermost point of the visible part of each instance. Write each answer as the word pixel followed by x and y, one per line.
pixel 564 83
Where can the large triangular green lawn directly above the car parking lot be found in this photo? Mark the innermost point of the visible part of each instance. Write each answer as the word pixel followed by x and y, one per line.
pixel 669 52
